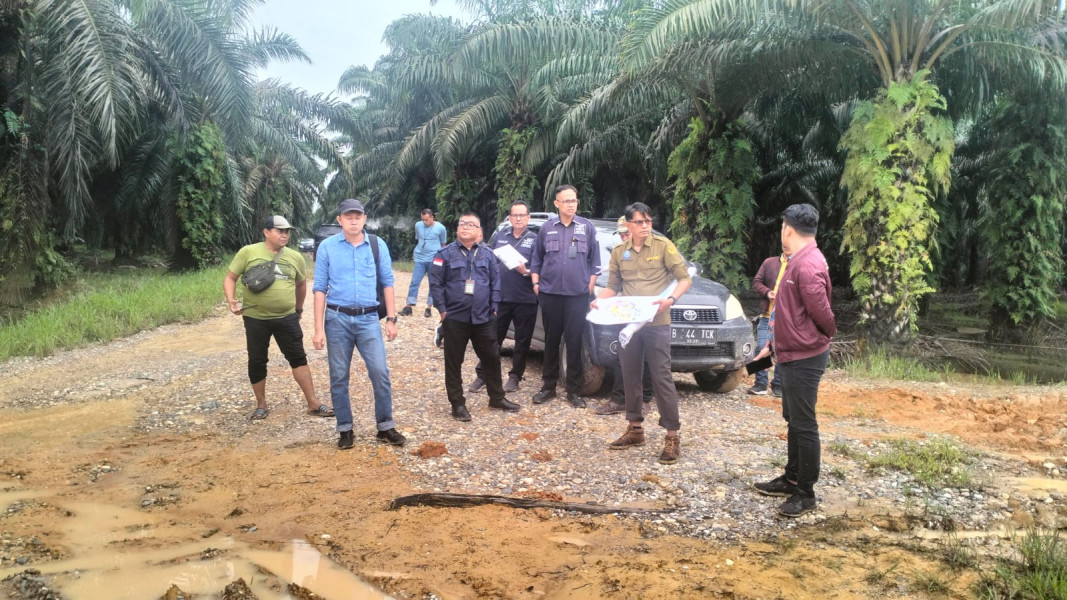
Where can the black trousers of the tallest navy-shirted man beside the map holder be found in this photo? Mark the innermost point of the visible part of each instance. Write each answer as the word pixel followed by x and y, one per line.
pixel 565 320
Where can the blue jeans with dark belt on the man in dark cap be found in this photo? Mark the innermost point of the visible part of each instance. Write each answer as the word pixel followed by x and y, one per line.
pixel 345 334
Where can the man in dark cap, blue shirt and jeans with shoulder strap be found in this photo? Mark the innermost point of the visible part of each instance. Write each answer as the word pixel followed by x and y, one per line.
pixel 346 319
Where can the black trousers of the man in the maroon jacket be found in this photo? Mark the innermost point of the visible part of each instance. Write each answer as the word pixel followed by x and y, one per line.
pixel 800 394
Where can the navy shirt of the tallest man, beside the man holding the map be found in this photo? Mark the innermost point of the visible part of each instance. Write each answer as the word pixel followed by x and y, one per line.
pixel 566 258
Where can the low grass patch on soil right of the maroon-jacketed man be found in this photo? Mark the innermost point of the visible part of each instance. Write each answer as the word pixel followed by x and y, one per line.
pixel 935 464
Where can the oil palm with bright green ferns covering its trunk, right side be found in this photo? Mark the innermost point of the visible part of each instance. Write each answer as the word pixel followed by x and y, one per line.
pixel 900 145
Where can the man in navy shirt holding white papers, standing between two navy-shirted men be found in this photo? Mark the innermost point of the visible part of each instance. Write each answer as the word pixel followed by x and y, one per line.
pixel 518 301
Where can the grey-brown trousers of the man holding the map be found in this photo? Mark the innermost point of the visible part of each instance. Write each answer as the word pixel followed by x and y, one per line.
pixel 650 345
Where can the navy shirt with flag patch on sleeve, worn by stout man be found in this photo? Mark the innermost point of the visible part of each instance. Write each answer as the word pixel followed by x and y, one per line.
pixel 450 272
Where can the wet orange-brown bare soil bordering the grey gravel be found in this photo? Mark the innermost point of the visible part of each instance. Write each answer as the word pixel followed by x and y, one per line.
pixel 210 491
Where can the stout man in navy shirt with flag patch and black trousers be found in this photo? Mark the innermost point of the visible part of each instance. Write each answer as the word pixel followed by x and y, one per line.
pixel 466 285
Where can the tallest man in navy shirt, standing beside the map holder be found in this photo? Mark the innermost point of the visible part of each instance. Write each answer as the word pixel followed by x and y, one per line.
pixel 564 270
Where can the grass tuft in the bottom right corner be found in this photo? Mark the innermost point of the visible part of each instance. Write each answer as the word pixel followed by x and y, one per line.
pixel 1041 575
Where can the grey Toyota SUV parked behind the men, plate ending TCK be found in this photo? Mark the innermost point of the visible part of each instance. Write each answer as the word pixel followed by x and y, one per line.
pixel 711 337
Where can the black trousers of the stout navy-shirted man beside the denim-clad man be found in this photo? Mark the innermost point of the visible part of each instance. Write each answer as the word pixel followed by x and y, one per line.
pixel 456 336
